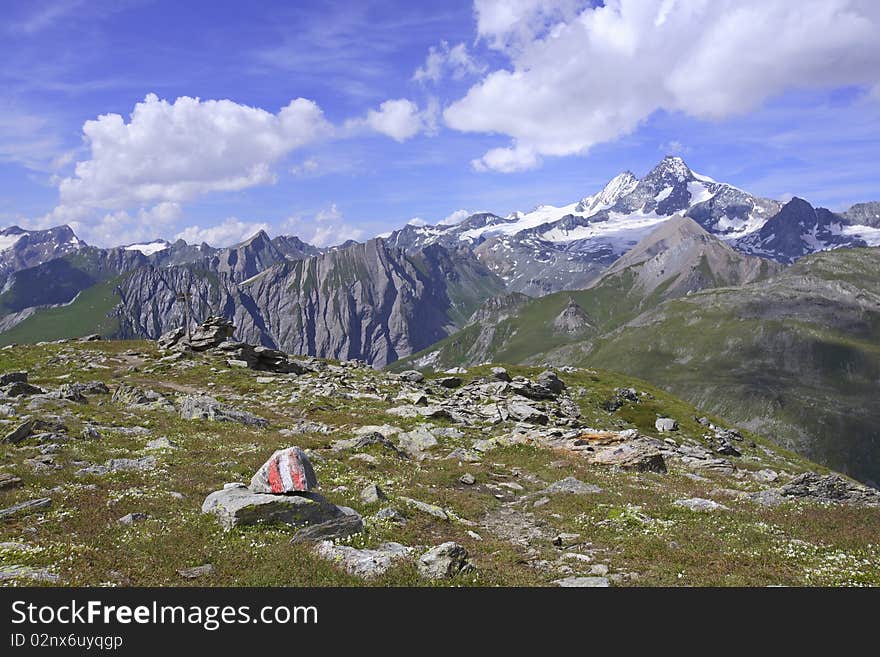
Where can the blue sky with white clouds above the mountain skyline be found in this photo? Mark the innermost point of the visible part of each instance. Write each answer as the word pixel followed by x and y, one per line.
pixel 521 103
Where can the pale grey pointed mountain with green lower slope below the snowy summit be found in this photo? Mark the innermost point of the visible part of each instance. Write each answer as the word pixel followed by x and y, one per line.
pixel 676 259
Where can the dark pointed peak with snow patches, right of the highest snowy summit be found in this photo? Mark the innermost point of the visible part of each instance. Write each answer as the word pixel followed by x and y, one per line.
pixel 796 230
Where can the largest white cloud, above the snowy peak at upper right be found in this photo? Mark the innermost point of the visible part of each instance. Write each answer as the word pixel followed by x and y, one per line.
pixel 582 75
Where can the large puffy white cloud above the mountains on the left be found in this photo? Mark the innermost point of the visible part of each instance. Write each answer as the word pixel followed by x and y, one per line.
pixel 181 150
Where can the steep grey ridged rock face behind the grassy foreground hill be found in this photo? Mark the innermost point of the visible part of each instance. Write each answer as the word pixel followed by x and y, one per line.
pixel 369 301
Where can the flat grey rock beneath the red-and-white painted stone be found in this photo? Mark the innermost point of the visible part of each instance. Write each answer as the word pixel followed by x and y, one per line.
pixel 237 506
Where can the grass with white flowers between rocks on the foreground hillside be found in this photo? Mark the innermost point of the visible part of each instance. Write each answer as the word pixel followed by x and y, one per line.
pixel 632 526
